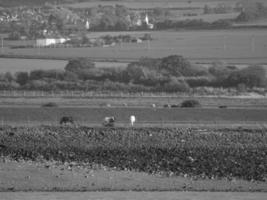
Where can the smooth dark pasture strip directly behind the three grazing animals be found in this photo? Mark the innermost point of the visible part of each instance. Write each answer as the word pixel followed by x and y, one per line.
pixel 31 116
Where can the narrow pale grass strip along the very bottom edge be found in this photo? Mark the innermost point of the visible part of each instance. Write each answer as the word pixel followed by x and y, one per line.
pixel 135 195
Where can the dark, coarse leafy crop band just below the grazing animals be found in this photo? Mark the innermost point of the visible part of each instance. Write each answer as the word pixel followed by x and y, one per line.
pixel 211 153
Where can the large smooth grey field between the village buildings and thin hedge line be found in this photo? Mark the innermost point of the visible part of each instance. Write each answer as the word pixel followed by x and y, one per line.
pixel 233 46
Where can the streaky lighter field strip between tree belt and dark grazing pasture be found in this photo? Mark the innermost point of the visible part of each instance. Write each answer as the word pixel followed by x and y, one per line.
pixel 91 100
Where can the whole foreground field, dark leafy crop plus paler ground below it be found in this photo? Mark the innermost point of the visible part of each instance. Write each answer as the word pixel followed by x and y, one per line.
pixel 142 159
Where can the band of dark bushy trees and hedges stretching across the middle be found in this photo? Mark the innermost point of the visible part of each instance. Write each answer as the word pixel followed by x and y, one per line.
pixel 169 74
